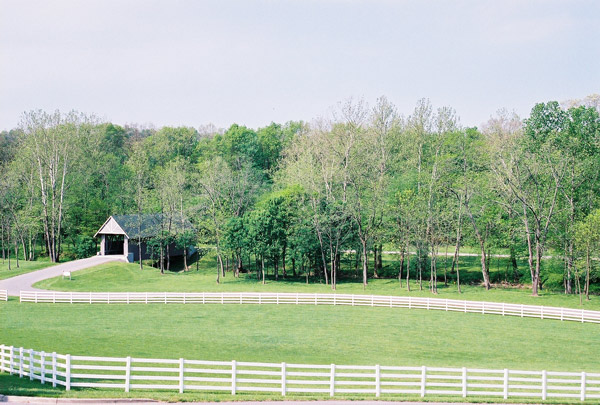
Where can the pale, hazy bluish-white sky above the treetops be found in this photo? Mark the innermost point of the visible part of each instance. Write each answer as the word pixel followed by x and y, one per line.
pixel 252 62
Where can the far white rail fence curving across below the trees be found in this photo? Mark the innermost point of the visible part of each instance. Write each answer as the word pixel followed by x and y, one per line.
pixel 482 307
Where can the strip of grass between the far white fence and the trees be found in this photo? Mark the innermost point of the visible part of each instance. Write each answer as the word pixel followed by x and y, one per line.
pixel 118 276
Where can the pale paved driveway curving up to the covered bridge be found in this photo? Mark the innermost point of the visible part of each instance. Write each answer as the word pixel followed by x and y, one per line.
pixel 25 281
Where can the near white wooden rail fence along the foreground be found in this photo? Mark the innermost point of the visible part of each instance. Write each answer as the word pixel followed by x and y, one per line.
pixel 128 373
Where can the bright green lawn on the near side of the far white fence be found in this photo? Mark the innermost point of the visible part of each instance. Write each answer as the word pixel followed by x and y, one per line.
pixel 302 334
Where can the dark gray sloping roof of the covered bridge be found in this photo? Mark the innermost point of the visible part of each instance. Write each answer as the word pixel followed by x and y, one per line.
pixel 149 225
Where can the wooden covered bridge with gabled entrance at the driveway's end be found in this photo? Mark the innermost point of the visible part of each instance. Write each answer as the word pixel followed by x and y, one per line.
pixel 120 234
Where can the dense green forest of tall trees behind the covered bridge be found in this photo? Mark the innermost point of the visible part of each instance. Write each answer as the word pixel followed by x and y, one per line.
pixel 295 198
